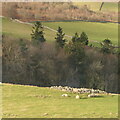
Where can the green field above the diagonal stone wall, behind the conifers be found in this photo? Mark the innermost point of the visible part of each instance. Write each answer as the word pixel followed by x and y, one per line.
pixel 95 31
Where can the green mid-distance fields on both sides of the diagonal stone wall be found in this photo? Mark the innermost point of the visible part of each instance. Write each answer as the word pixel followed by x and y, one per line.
pixel 95 31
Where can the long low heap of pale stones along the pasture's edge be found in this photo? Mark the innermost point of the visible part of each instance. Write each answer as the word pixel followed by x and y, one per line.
pixel 77 90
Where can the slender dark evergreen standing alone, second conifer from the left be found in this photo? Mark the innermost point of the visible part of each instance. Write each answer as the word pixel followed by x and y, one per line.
pixel 60 41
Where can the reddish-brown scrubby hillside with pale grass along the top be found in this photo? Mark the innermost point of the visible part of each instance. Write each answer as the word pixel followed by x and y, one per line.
pixel 46 11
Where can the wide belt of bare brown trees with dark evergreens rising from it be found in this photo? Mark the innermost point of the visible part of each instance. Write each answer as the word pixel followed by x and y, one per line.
pixel 72 63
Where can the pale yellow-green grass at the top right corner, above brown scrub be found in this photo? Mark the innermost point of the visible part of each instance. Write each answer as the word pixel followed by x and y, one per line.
pixel 107 7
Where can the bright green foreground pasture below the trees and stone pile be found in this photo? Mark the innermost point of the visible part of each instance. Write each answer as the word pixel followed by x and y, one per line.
pixel 38 102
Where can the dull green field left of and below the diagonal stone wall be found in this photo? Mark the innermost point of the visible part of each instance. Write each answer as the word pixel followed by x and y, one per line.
pixel 20 30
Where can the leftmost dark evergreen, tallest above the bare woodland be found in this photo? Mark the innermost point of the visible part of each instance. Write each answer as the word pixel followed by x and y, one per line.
pixel 37 35
